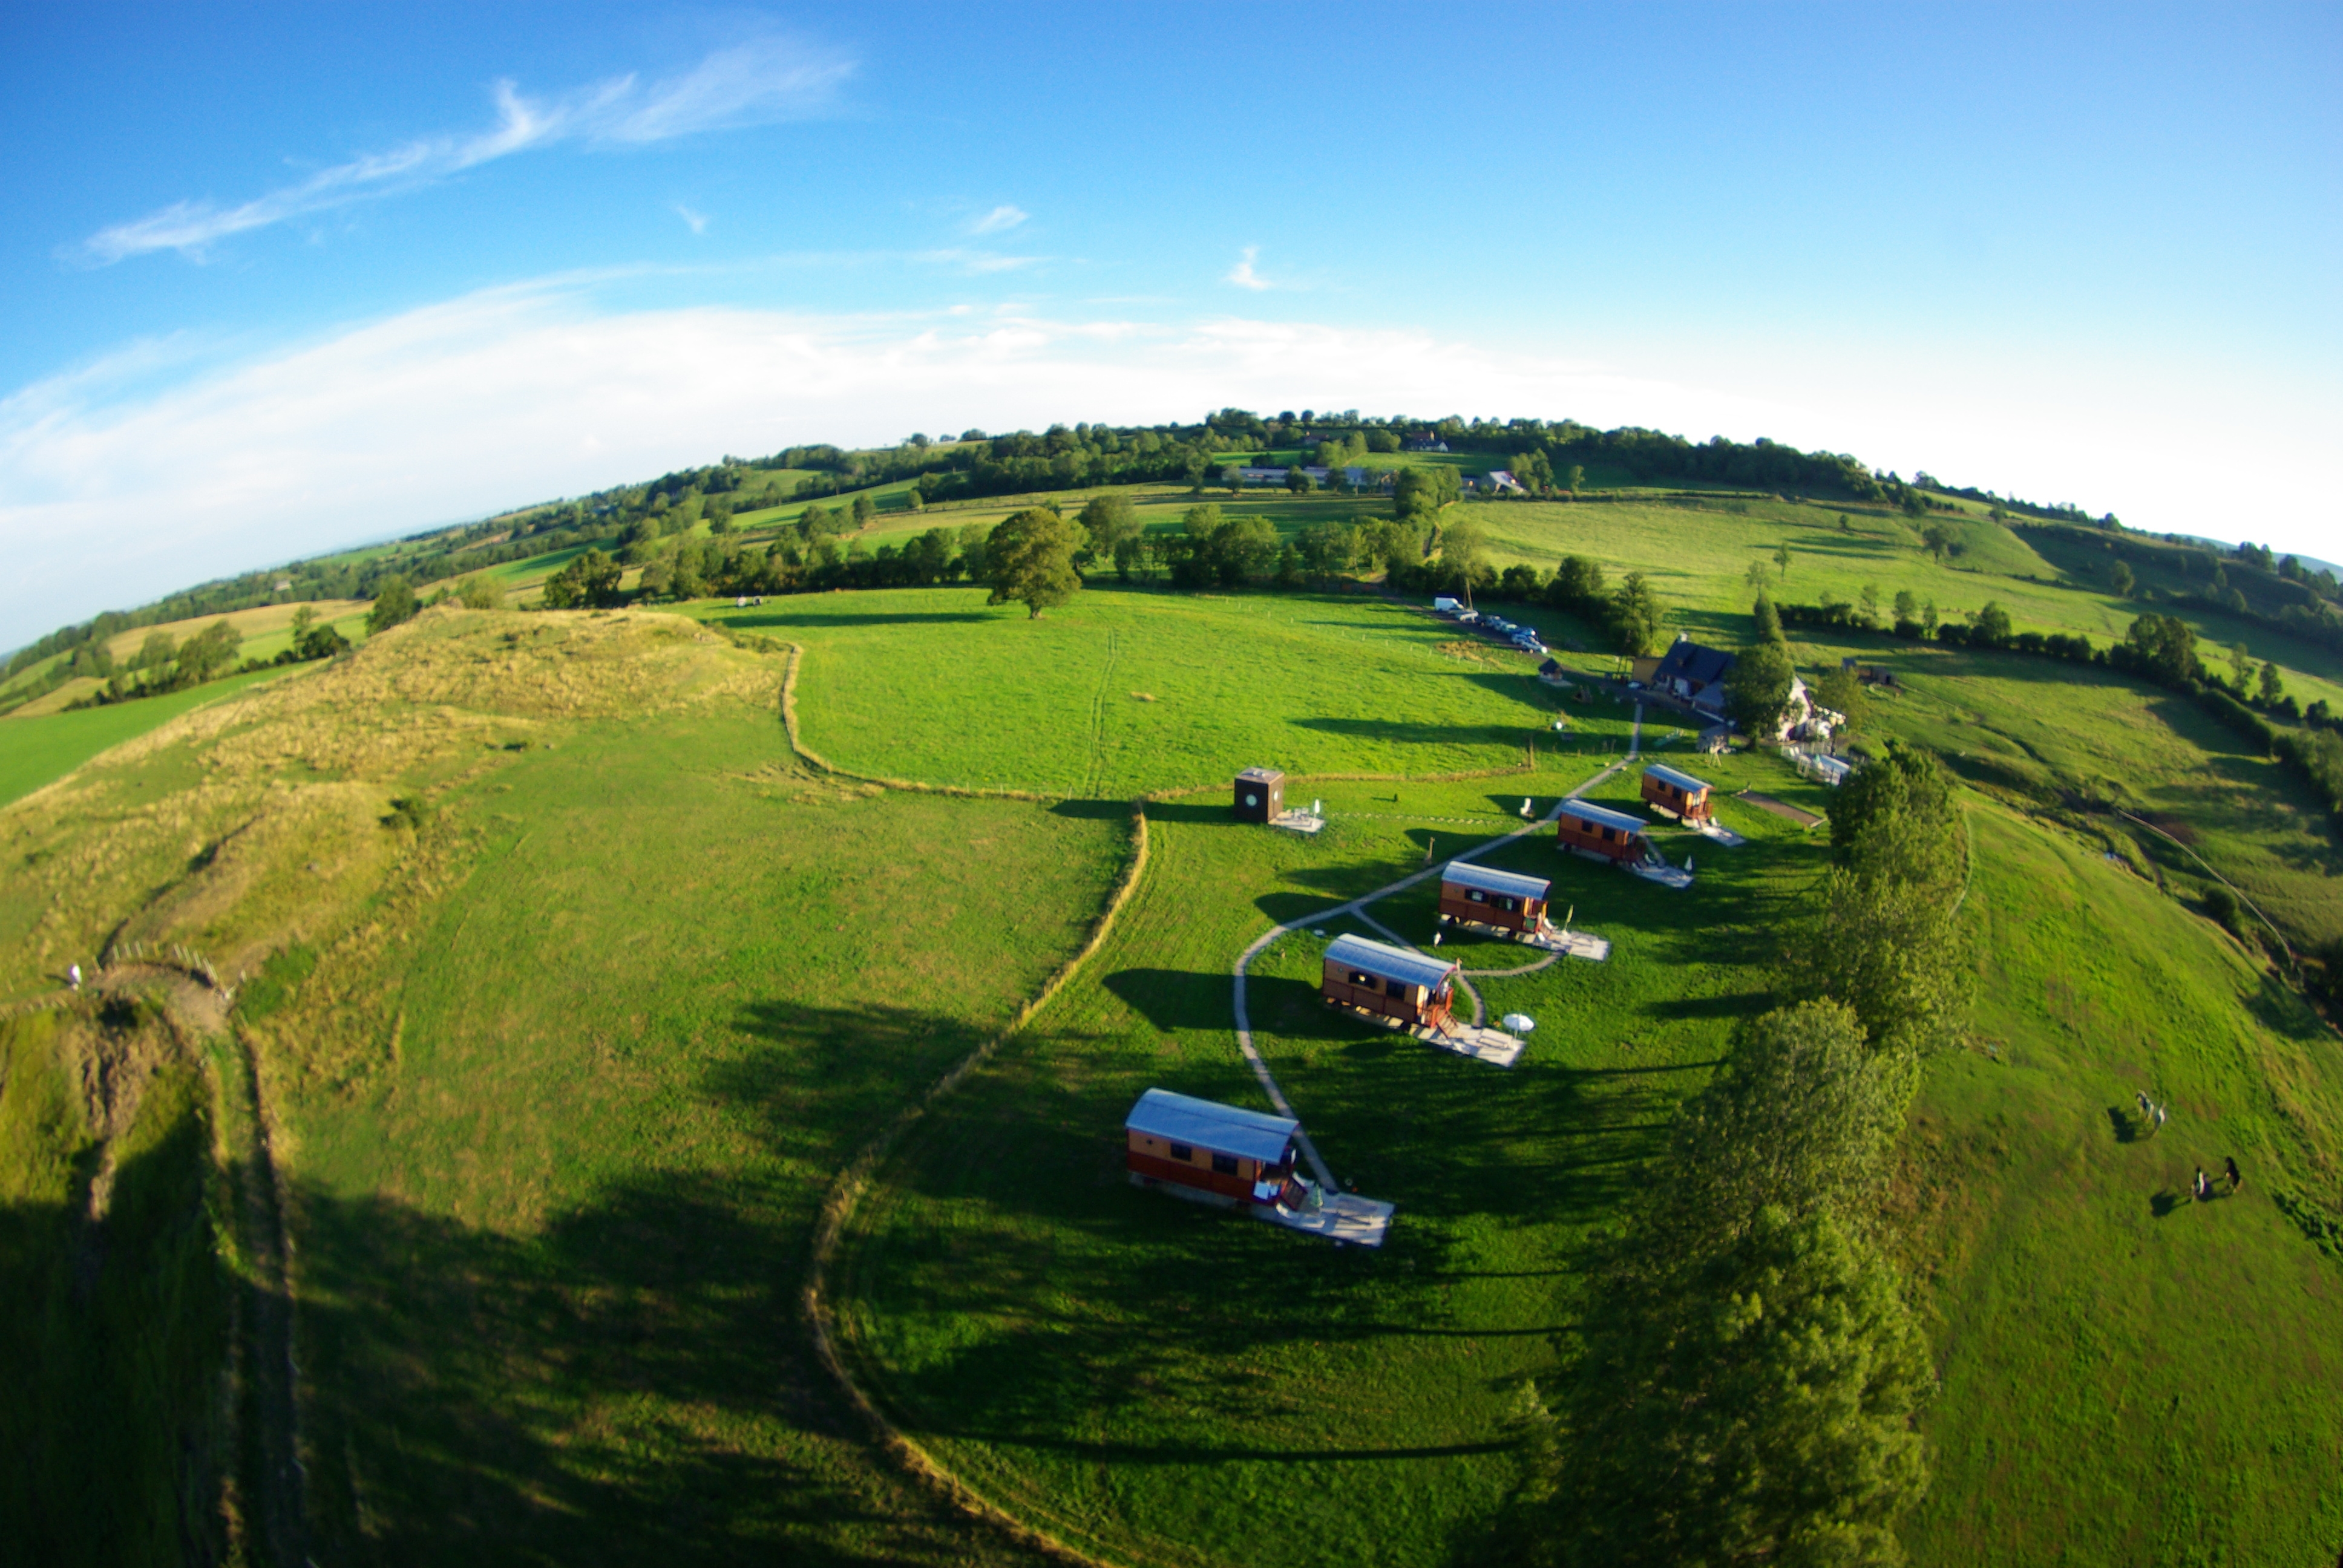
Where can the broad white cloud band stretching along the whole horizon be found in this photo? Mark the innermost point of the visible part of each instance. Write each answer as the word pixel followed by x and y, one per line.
pixel 114 493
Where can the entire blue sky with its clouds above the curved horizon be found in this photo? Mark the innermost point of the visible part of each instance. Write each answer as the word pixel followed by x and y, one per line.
pixel 285 278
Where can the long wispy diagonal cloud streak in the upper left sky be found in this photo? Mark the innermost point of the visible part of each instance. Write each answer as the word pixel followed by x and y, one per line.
pixel 756 83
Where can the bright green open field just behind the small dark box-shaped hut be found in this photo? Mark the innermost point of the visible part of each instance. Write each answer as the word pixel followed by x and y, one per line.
pixel 934 686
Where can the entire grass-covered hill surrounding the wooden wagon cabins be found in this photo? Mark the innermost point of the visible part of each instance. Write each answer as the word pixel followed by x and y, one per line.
pixel 566 990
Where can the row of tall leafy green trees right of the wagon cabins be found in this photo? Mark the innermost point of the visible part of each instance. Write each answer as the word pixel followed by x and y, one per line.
pixel 1744 1372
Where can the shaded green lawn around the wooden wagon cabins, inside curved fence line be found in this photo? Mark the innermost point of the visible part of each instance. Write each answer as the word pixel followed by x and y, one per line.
pixel 1177 1384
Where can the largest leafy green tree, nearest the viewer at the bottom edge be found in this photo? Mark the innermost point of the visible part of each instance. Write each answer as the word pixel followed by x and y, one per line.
pixel 1747 1384
